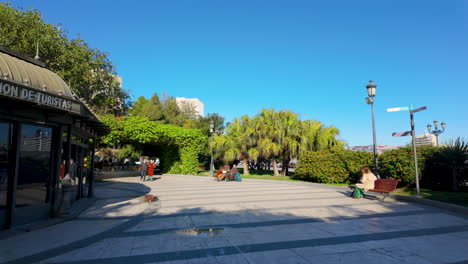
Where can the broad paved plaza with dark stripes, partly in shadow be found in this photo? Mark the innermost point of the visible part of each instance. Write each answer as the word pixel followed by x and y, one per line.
pixel 197 220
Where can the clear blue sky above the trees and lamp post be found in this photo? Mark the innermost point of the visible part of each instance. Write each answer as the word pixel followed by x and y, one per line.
pixel 312 57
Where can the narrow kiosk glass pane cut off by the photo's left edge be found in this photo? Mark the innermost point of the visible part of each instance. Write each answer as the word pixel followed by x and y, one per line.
pixel 5 129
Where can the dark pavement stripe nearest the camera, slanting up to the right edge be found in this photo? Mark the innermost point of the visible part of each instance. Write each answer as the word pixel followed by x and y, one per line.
pixel 273 246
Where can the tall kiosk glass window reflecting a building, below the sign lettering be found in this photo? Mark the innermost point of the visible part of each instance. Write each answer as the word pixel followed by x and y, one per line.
pixel 34 165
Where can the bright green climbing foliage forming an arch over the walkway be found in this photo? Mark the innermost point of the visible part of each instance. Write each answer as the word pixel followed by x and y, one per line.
pixel 180 146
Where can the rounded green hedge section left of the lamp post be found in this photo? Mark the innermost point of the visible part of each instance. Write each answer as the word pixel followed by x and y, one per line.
pixel 341 166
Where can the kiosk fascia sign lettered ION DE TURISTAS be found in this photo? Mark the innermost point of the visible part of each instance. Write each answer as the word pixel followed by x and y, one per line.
pixel 34 96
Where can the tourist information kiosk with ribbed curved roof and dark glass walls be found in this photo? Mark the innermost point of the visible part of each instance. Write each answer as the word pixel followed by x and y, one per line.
pixel 44 135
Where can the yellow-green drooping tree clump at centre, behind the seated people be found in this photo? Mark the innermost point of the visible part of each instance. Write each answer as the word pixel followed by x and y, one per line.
pixel 273 136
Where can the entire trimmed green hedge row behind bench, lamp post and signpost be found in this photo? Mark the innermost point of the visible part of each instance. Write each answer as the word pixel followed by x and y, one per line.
pixel 343 166
